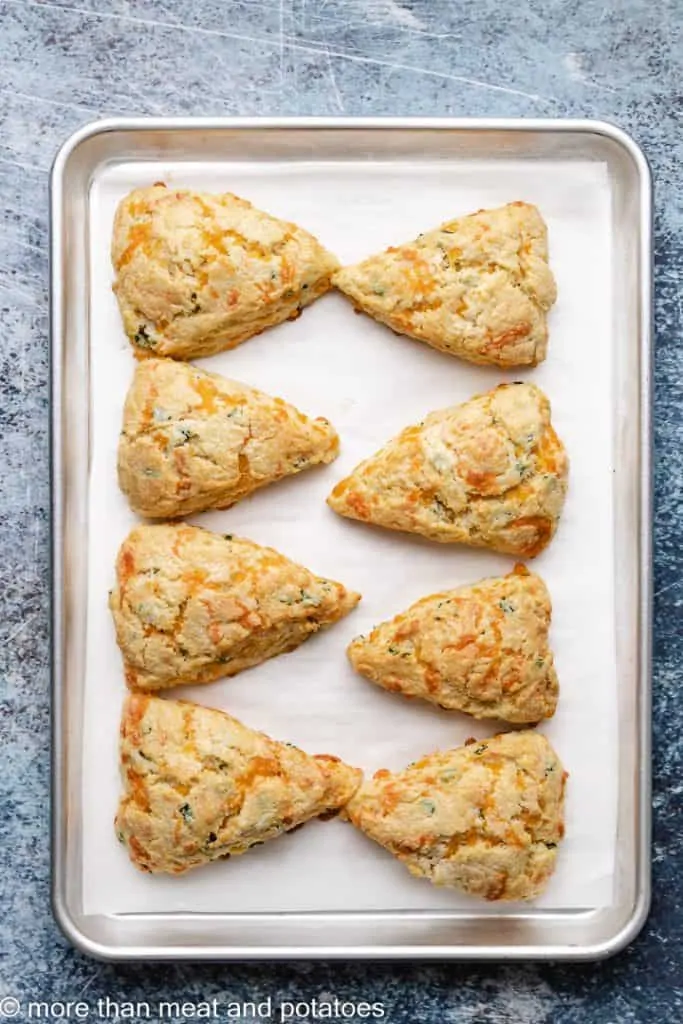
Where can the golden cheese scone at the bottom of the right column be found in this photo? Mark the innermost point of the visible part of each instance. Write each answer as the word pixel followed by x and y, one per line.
pixel 486 818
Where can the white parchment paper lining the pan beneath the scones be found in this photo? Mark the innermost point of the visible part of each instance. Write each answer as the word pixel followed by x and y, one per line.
pixel 371 383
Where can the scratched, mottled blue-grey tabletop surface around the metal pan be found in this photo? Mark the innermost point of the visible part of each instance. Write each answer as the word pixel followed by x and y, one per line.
pixel 65 64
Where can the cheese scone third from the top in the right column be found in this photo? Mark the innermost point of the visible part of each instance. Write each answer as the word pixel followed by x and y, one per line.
pixel 482 650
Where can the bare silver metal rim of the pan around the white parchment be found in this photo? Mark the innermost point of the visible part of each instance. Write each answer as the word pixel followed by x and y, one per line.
pixel 585 933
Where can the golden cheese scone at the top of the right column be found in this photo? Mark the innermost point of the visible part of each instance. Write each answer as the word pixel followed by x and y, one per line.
pixel 479 287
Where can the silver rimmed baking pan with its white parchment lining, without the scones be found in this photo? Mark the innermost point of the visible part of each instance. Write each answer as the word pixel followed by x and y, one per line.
pixel 361 185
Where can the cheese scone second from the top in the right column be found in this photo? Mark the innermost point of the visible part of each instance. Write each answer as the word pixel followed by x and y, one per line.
pixel 491 474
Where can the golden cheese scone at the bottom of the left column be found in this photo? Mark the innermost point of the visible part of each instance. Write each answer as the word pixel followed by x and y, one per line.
pixel 199 786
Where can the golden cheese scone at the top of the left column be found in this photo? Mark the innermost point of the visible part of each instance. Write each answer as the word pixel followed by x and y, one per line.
pixel 197 274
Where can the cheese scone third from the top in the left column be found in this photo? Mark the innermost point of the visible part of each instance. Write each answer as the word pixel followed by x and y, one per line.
pixel 191 607
